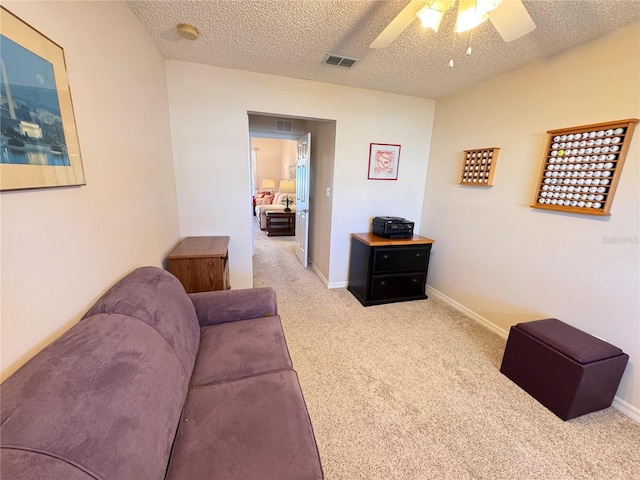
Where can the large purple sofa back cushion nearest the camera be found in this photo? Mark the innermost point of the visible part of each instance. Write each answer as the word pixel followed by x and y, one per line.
pixel 105 398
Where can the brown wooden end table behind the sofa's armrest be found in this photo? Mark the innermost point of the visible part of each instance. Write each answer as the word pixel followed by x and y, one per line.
pixel 201 263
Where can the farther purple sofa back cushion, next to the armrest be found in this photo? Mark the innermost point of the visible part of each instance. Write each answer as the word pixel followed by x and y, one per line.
pixel 156 297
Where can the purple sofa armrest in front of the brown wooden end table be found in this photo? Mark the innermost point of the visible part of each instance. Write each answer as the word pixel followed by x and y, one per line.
pixel 230 305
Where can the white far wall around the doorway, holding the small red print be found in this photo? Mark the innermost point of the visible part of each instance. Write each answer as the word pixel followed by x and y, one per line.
pixel 209 125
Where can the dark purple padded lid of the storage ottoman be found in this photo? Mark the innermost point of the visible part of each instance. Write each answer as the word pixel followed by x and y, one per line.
pixel 575 344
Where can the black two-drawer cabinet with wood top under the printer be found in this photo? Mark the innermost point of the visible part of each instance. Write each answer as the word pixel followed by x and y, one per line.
pixel 383 270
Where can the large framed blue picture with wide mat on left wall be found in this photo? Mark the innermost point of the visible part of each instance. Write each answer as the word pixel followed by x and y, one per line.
pixel 38 139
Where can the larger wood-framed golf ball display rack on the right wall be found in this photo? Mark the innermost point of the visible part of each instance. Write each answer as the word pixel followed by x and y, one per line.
pixel 582 166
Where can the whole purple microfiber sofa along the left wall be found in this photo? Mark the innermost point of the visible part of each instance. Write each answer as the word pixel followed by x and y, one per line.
pixel 153 383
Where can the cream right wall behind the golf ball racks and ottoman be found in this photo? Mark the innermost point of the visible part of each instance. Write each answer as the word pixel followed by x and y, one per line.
pixel 510 263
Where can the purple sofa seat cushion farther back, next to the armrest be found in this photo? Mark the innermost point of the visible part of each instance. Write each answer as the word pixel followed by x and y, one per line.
pixel 235 350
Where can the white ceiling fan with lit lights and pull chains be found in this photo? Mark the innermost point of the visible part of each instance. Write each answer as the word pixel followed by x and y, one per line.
pixel 509 17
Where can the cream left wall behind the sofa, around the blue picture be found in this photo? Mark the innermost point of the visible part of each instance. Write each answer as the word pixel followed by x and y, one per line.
pixel 63 247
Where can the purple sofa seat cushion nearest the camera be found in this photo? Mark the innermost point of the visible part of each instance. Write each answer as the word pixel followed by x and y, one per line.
pixel 254 428
